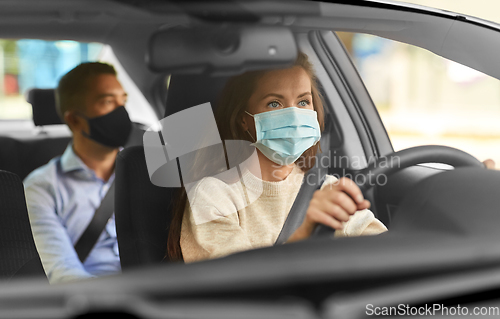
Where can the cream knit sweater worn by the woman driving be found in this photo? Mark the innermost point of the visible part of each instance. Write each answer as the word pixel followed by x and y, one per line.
pixel 222 218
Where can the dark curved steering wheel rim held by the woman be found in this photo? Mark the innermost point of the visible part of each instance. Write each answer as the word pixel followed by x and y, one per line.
pixel 392 163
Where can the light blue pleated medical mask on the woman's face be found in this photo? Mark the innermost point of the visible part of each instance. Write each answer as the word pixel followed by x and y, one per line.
pixel 284 134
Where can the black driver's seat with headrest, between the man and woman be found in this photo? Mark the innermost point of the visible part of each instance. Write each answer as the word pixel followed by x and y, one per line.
pixel 143 210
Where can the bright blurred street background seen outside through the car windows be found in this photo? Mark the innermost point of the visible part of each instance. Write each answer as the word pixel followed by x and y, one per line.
pixel 422 98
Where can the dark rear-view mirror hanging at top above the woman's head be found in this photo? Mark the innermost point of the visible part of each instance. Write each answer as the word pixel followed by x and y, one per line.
pixel 220 50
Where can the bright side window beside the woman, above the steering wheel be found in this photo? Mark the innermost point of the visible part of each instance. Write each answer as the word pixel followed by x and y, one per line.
pixel 424 99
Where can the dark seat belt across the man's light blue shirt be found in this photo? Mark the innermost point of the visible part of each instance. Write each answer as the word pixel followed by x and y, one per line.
pixel 91 234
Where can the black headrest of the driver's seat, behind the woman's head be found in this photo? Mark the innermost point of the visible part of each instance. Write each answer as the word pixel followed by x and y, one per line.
pixel 190 90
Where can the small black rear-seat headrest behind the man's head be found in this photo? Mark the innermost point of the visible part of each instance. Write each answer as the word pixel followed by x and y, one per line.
pixel 43 103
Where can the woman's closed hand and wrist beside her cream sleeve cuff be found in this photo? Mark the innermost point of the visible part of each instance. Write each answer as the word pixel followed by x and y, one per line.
pixel 331 206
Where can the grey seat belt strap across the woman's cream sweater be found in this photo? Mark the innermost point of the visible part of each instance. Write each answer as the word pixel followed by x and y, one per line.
pixel 312 182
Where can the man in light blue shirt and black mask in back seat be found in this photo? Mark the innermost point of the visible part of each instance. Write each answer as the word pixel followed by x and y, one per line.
pixel 63 195
